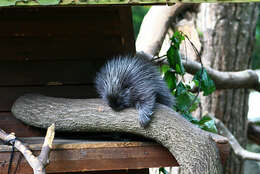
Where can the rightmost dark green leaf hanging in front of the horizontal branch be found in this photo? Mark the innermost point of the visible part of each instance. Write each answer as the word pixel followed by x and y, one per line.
pixel 207 84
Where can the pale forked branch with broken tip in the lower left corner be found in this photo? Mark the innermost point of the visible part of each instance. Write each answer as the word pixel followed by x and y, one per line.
pixel 37 163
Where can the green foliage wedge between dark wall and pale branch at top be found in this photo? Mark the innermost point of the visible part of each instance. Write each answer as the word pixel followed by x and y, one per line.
pixel 138 13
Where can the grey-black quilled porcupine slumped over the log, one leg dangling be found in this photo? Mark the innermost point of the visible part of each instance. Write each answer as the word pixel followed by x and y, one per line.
pixel 126 81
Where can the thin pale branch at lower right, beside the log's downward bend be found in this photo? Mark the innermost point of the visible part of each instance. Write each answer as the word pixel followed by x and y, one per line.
pixel 238 150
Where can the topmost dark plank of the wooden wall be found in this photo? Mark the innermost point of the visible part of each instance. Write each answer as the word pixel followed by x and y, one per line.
pixel 59 22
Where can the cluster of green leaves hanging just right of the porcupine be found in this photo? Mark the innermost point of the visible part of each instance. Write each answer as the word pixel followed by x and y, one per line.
pixel 187 101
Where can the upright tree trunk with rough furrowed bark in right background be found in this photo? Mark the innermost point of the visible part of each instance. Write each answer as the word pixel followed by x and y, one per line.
pixel 228 39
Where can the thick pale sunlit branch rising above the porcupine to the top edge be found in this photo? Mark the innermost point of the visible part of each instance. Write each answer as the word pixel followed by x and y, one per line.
pixel 150 41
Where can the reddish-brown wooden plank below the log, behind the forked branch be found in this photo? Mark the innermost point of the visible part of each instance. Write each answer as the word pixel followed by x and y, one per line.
pixel 96 158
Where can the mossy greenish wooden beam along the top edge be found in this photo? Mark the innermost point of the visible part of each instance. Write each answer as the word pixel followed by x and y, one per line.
pixel 5 3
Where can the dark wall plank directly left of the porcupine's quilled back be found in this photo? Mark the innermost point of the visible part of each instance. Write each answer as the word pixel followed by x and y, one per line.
pixel 35 73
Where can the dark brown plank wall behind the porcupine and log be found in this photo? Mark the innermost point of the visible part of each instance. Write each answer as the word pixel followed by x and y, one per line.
pixel 56 52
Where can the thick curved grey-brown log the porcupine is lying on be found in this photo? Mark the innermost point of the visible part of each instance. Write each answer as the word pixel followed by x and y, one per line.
pixel 193 148
